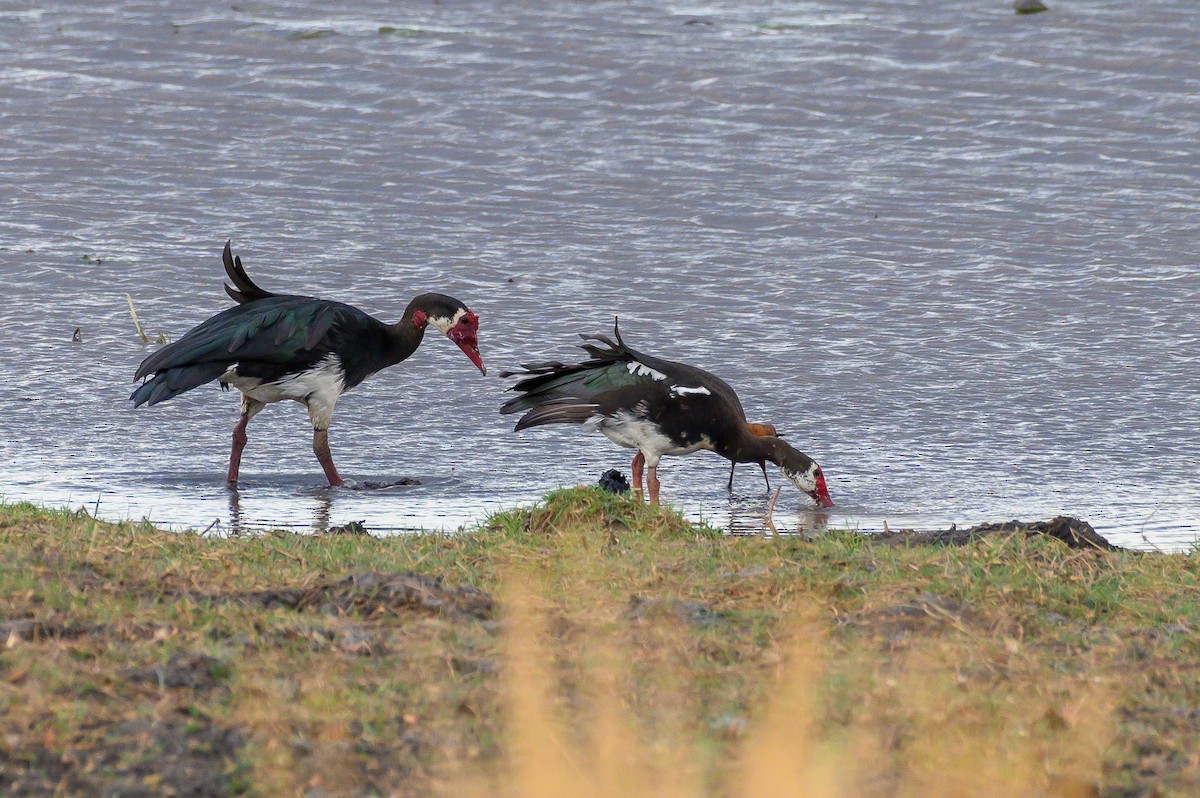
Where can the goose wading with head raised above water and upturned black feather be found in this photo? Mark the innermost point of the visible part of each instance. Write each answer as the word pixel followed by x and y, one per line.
pixel 274 347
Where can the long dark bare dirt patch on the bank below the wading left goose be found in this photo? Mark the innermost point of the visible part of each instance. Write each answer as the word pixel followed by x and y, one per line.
pixel 373 595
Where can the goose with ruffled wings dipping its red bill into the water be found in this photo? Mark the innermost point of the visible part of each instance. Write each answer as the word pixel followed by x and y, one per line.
pixel 657 407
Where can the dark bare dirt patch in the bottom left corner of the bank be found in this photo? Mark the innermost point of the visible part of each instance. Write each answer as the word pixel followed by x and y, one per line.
pixel 137 758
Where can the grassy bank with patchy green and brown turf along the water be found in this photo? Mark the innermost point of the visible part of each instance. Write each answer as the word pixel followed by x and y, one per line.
pixel 590 646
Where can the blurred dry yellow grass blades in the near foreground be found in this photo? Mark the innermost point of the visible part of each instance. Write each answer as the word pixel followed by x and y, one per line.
pixel 919 733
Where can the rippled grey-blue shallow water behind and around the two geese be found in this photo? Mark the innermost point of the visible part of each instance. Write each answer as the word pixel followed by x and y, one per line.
pixel 950 251
